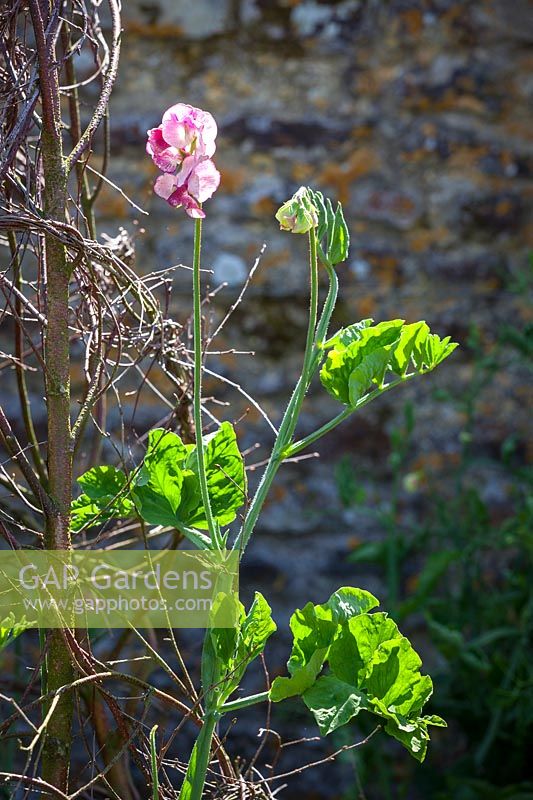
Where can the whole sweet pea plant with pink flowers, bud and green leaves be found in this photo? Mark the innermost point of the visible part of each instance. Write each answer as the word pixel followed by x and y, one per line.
pixel 346 658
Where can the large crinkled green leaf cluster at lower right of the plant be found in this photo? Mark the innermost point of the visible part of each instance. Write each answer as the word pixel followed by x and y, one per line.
pixel 372 668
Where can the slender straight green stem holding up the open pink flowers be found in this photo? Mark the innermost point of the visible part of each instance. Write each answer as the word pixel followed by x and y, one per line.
pixel 197 401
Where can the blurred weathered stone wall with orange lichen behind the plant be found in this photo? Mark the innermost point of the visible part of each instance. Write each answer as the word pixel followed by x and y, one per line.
pixel 416 115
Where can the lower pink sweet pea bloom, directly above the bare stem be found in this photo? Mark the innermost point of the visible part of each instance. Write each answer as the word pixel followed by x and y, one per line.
pixel 196 182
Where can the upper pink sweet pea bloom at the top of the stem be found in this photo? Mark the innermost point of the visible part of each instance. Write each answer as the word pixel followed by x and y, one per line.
pixel 184 131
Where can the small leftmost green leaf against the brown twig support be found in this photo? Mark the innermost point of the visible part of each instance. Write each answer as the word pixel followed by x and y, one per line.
pixel 105 496
